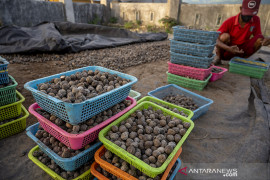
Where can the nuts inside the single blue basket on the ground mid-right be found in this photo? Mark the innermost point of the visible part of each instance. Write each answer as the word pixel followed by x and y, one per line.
pixel 181 100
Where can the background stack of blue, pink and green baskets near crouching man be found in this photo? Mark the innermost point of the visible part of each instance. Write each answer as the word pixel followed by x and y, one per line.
pixel 191 57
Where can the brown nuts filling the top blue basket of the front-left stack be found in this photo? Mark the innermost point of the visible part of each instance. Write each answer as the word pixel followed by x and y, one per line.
pixel 83 85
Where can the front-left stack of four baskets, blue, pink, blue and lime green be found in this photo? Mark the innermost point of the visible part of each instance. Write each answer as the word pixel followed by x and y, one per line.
pixel 73 114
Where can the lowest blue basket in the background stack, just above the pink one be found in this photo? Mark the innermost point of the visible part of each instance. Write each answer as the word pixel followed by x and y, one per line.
pixel 194 61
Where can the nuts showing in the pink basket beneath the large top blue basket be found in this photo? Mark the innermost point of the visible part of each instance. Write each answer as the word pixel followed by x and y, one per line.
pixel 92 122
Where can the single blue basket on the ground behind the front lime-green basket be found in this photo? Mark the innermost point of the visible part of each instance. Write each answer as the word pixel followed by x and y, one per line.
pixel 202 102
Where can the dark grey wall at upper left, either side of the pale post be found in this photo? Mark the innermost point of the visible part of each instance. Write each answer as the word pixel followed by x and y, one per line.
pixel 31 12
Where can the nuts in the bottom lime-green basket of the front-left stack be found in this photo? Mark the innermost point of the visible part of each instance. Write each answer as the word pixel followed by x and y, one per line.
pixel 42 157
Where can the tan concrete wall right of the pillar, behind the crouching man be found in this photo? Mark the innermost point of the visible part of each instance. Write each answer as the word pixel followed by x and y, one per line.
pixel 208 15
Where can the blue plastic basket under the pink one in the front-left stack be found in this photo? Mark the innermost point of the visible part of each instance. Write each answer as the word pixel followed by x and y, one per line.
pixel 68 164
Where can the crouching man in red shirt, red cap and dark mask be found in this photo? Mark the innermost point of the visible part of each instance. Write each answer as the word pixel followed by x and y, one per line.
pixel 241 35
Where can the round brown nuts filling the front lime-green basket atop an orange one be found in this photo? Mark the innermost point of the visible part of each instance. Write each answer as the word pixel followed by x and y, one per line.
pixel 149 135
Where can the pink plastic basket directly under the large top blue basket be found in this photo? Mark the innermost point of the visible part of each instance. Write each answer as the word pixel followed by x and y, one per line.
pixel 76 141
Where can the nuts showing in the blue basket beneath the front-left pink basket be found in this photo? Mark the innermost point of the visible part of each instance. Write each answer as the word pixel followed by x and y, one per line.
pixel 58 147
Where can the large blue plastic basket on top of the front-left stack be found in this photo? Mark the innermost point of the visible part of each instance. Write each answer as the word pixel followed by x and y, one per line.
pixel 76 113
